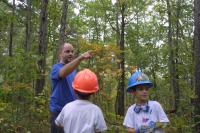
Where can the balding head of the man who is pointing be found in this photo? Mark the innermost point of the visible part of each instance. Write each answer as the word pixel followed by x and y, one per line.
pixel 66 53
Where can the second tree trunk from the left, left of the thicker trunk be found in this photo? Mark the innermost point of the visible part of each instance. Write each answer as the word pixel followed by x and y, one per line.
pixel 28 26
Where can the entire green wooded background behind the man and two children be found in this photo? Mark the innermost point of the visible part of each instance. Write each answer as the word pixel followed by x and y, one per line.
pixel 160 36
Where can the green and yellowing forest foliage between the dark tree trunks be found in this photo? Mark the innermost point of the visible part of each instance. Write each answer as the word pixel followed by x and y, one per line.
pixel 95 28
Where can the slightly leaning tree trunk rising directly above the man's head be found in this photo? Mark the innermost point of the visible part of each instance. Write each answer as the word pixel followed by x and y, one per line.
pixel 63 21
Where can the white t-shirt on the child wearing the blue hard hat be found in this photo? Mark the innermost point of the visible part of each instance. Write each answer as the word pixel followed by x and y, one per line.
pixel 155 114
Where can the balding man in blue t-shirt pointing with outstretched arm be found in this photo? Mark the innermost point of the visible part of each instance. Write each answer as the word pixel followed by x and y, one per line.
pixel 62 75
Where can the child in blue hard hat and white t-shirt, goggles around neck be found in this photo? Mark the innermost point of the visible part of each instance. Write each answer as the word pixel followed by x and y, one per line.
pixel 145 116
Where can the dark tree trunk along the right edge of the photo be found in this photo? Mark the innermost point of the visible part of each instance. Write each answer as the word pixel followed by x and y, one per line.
pixel 197 61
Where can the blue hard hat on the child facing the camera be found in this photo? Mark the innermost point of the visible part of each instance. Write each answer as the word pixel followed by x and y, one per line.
pixel 138 78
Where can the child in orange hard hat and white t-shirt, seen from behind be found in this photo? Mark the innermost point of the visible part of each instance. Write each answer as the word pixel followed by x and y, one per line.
pixel 81 115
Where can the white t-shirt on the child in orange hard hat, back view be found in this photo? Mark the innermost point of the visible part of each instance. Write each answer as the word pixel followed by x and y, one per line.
pixel 81 116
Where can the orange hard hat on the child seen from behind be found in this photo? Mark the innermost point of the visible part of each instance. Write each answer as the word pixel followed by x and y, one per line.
pixel 86 82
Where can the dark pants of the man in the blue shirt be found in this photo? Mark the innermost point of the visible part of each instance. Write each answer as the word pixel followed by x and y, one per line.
pixel 54 127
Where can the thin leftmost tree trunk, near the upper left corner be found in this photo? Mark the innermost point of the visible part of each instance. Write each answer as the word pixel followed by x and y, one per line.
pixel 10 49
